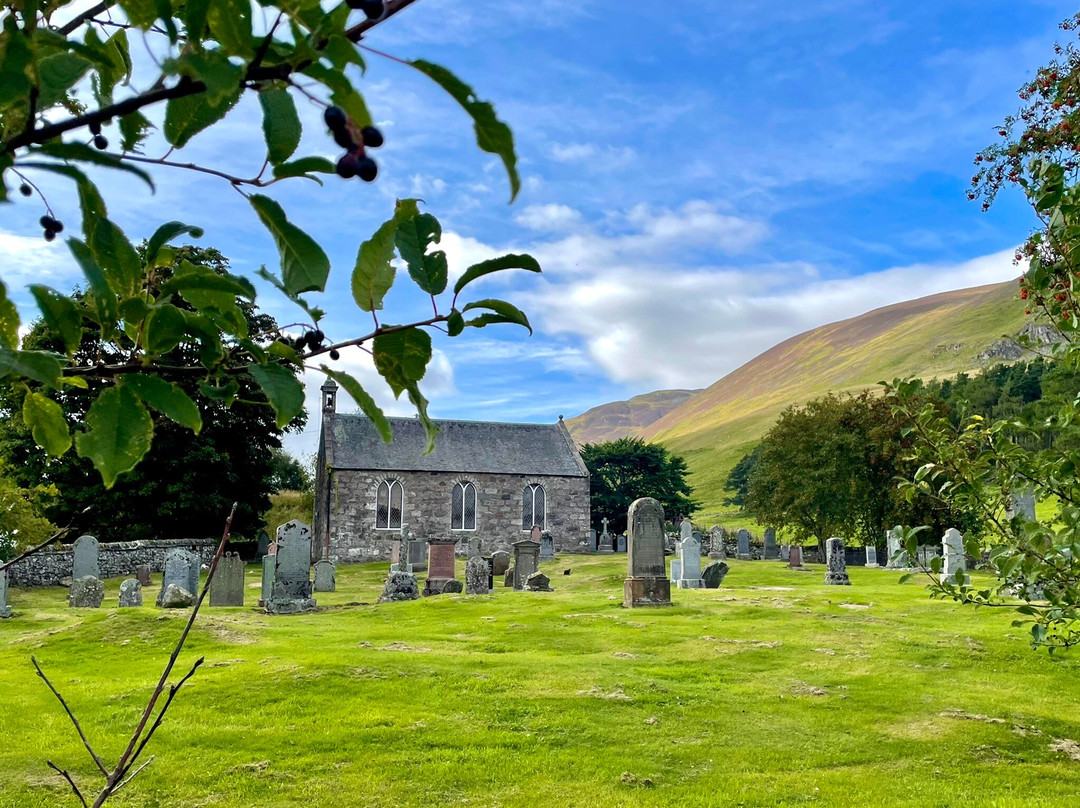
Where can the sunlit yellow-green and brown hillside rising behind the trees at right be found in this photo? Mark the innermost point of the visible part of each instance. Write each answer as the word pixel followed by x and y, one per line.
pixel 940 335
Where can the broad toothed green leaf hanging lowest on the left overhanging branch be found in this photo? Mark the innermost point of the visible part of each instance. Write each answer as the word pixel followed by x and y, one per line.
pixel 119 435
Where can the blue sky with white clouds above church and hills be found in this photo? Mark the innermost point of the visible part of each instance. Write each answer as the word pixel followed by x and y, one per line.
pixel 700 182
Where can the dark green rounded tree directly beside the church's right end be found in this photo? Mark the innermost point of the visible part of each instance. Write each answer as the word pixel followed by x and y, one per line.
pixel 628 469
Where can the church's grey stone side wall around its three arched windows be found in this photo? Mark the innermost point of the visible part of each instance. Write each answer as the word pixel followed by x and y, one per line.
pixel 427 511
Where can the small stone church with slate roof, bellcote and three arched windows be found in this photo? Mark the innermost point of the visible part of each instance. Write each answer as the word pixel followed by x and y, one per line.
pixel 483 480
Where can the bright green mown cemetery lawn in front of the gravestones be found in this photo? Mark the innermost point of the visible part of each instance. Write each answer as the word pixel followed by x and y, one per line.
pixel 774 691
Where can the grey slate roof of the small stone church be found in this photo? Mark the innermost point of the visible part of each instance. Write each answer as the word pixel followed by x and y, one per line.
pixel 461 448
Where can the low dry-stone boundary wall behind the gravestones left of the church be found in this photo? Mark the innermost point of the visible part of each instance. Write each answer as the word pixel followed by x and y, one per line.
pixel 52 565
